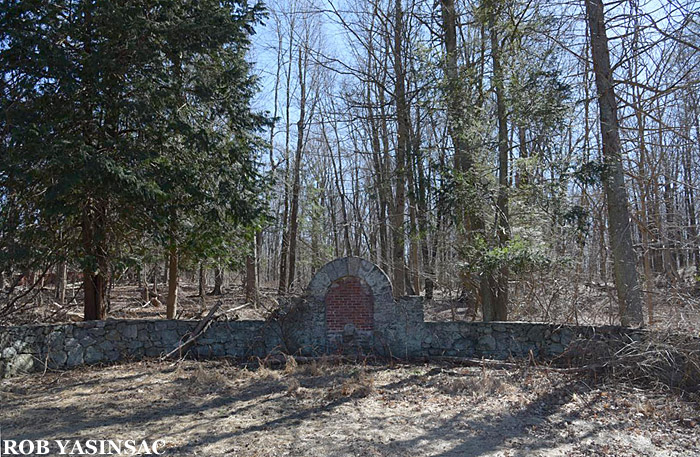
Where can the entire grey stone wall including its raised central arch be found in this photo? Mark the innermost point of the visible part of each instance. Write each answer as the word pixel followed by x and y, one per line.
pixel 301 327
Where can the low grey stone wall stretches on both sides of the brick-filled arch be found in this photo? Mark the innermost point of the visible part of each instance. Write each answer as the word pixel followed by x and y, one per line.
pixel 401 334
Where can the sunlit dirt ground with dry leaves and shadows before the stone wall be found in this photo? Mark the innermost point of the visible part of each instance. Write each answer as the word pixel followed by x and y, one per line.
pixel 320 409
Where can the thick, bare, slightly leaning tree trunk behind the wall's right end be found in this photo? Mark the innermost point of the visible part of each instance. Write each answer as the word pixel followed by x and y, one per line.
pixel 624 259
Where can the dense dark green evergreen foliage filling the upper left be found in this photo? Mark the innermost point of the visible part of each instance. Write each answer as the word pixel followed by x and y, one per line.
pixel 131 119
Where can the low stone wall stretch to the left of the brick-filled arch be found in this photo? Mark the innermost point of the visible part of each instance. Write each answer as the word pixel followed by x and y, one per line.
pixel 34 348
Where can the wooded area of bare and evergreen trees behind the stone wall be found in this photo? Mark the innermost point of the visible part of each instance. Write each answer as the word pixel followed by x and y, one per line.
pixel 522 159
